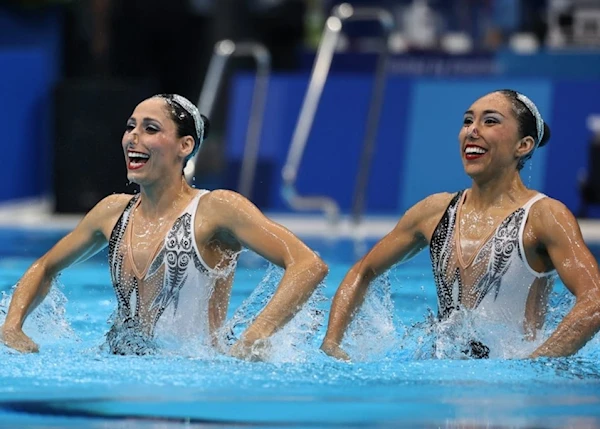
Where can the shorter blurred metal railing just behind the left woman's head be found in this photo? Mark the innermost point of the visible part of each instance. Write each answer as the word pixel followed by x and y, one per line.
pixel 224 50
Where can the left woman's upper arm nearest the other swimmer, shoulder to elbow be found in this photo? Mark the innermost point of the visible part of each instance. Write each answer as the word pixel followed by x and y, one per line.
pixel 232 212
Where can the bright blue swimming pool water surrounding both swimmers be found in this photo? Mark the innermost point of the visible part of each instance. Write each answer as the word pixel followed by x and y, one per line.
pixel 71 383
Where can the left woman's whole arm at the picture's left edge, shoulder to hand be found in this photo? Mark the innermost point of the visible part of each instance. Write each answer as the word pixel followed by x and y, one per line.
pixel 89 237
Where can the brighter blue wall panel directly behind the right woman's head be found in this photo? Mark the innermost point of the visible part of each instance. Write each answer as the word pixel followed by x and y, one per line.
pixel 432 160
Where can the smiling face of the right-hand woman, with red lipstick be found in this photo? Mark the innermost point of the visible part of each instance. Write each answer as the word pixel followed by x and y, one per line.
pixel 489 139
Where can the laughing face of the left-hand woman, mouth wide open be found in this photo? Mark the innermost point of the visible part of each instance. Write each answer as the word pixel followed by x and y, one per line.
pixel 153 150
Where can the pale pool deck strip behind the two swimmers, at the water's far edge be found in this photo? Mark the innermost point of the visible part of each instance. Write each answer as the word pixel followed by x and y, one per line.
pixel 38 214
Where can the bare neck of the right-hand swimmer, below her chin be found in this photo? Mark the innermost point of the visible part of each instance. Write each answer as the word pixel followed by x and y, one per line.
pixel 495 193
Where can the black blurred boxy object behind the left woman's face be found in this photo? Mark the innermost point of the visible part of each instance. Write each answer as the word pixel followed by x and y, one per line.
pixel 88 157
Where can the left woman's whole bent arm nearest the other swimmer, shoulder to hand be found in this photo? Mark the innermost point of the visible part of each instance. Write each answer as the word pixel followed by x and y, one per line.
pixel 304 270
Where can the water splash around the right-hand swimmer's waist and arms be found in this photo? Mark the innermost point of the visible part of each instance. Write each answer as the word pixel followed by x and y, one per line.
pixel 378 333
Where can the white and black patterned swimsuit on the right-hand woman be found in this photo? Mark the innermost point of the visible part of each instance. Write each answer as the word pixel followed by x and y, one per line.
pixel 497 278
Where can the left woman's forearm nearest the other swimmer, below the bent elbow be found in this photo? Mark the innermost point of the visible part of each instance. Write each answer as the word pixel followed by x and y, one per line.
pixel 296 286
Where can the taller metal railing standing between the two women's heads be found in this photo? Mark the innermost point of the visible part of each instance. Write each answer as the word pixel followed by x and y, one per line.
pixel 325 52
